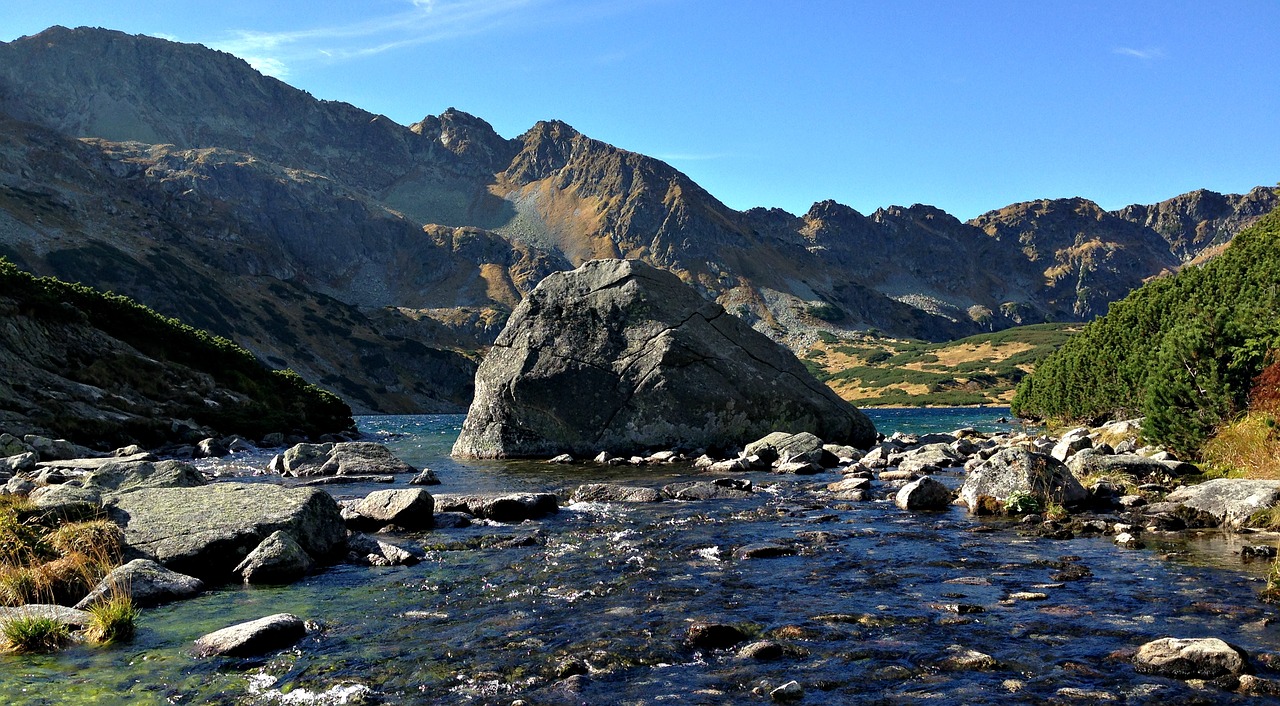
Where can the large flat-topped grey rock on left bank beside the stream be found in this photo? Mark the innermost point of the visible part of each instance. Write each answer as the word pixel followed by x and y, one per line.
pixel 208 531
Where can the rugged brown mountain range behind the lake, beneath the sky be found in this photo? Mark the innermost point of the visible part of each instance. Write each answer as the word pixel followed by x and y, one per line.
pixel 377 259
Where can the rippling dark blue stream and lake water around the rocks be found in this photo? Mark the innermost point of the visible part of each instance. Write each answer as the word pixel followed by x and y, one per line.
pixel 875 607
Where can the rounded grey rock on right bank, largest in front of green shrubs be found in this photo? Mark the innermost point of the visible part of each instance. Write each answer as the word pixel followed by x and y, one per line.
pixel 1022 471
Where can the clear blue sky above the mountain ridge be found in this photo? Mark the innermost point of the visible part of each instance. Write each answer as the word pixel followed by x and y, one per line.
pixel 967 107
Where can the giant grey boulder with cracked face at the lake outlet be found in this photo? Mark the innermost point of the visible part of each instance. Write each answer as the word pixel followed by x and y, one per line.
pixel 621 356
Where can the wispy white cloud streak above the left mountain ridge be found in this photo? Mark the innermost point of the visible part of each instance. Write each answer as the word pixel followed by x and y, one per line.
pixel 420 22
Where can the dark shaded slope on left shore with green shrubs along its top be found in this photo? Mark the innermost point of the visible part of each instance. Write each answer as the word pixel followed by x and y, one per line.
pixel 106 372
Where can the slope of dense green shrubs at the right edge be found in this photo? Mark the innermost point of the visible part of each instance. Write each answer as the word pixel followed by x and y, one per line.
pixel 1182 351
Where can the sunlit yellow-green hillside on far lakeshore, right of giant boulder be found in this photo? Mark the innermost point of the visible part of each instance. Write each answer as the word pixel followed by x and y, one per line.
pixel 984 369
